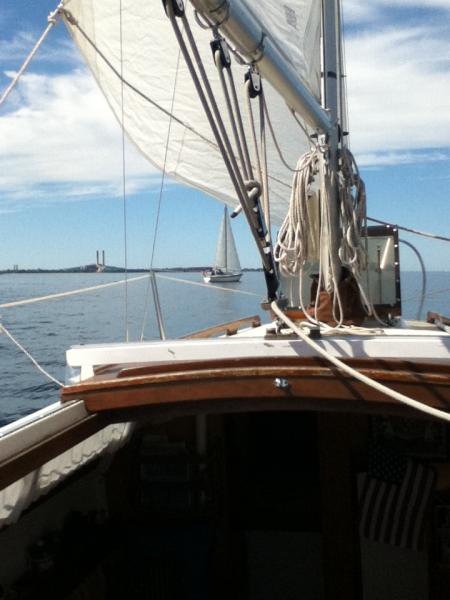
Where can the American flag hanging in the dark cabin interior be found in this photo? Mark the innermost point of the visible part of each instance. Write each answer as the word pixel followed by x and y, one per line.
pixel 393 498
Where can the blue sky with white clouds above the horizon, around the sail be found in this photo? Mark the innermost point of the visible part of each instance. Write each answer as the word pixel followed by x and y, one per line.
pixel 56 209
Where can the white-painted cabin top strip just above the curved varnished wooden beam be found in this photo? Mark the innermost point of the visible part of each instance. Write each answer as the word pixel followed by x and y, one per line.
pixel 412 344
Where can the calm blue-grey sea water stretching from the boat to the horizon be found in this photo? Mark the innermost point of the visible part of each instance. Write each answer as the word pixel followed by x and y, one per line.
pixel 47 329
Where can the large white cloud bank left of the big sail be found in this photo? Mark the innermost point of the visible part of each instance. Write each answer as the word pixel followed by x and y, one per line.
pixel 61 134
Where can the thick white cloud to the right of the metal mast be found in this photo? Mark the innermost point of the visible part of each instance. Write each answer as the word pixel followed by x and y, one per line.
pixel 398 87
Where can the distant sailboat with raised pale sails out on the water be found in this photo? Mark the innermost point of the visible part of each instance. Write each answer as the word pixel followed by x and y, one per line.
pixel 227 268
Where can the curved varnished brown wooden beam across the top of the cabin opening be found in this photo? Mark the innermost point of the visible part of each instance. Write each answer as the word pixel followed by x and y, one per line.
pixel 233 385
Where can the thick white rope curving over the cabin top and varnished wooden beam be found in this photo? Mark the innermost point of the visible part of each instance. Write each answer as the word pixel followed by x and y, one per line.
pixel 434 412
